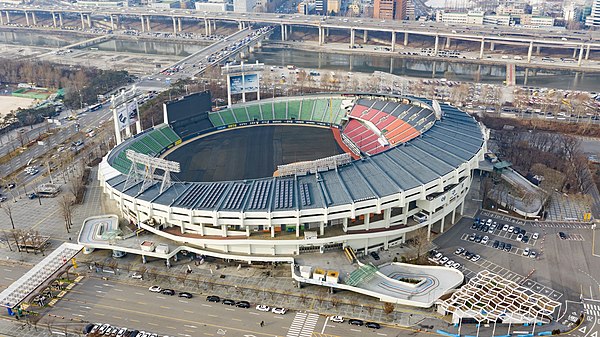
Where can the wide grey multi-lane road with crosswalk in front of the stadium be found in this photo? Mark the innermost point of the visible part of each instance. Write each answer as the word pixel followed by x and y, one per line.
pixel 106 301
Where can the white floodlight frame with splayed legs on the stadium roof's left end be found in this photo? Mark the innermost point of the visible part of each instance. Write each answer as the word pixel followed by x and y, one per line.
pixel 143 169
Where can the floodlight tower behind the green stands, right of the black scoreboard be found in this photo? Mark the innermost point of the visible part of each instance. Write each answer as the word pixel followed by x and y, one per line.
pixel 242 79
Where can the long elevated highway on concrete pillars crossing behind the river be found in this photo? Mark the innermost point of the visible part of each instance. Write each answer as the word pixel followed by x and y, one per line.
pixel 582 43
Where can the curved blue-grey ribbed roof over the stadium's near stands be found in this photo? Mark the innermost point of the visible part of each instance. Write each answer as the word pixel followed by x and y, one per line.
pixel 449 143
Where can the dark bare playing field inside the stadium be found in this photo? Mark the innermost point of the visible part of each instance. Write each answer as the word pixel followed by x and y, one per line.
pixel 254 152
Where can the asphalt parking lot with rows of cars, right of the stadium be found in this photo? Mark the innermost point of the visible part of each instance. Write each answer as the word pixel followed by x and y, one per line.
pixel 570 250
